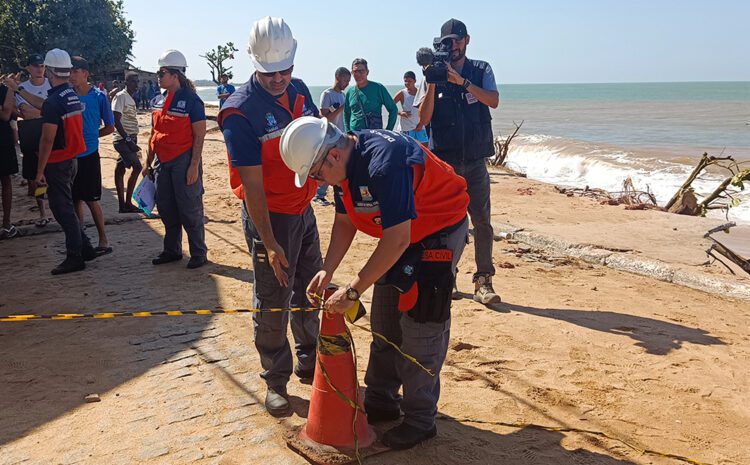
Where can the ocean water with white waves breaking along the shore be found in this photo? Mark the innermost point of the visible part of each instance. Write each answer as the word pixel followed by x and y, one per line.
pixel 598 135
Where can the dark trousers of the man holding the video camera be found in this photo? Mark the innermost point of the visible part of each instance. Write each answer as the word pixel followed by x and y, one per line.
pixel 478 182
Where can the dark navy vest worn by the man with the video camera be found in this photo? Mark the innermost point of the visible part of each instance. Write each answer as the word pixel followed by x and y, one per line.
pixel 461 125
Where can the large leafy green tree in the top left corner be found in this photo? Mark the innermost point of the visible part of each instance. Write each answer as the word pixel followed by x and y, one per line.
pixel 95 29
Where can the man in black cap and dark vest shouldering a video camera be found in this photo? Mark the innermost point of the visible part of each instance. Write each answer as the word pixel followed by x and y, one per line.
pixel 458 112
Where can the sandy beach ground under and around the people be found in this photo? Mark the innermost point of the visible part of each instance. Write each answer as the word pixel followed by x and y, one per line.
pixel 574 346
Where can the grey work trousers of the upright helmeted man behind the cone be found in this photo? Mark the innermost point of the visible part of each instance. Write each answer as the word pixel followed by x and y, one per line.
pixel 298 236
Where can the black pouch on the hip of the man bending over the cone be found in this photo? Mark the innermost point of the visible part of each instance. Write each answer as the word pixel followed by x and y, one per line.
pixel 424 277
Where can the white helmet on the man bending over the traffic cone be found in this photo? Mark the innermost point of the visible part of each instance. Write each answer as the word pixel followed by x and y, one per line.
pixel 302 141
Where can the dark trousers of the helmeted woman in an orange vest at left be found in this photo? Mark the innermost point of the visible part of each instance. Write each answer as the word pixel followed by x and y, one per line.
pixel 180 206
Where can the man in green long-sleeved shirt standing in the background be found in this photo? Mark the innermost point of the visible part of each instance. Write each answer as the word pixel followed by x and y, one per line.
pixel 364 101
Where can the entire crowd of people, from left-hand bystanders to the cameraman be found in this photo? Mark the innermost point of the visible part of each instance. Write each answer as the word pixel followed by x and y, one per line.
pixel 413 189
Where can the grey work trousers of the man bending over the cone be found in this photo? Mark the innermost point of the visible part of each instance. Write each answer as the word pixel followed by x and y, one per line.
pixel 387 370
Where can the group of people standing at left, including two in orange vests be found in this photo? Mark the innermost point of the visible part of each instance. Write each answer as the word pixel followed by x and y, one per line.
pixel 60 118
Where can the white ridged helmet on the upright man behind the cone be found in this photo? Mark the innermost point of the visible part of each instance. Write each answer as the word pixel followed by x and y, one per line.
pixel 271 45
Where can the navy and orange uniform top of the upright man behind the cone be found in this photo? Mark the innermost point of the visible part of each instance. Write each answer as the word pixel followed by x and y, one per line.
pixel 268 118
